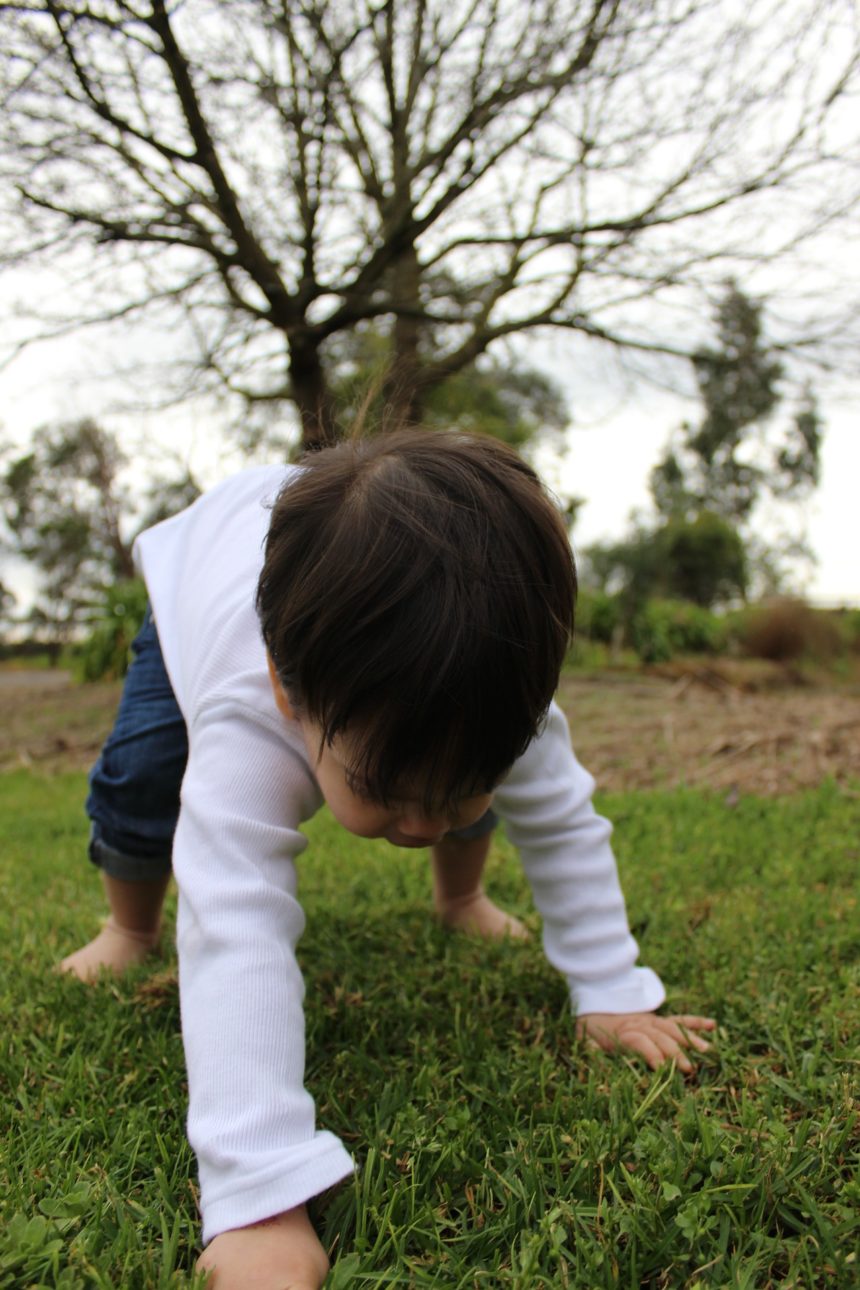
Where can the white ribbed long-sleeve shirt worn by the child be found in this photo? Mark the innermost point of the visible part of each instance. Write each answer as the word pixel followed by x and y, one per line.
pixel 247 789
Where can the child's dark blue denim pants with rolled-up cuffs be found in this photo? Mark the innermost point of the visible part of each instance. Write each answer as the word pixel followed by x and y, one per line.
pixel 135 786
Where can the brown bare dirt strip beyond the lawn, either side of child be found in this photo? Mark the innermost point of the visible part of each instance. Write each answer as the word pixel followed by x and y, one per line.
pixel 729 728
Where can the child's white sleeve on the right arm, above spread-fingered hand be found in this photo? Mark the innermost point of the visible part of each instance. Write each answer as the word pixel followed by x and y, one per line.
pixel 568 860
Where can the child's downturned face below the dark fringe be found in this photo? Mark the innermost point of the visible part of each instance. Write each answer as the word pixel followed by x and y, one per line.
pixel 404 824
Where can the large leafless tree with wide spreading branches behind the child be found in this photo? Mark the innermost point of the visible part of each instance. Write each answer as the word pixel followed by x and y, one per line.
pixel 453 172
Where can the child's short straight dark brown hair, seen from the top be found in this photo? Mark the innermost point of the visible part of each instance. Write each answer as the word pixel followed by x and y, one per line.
pixel 417 598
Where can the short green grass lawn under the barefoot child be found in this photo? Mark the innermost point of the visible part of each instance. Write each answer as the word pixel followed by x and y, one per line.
pixel 494 1150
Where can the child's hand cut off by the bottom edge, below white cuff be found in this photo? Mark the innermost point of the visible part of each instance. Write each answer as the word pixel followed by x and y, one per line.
pixel 283 1253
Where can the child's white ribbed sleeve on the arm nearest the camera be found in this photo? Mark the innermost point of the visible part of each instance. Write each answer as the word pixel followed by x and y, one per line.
pixel 251 1120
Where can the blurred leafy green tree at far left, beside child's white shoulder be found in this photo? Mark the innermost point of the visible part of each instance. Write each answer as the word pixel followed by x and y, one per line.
pixel 70 515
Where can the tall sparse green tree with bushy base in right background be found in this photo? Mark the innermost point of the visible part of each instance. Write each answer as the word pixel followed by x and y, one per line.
pixel 712 477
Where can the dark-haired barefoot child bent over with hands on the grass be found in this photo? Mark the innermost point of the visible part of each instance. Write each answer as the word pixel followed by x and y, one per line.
pixel 381 629
